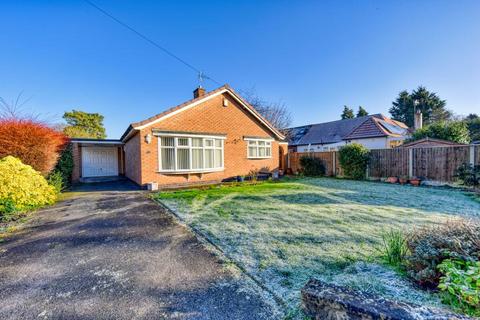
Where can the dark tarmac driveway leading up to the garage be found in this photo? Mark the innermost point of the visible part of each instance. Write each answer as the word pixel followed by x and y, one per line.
pixel 118 255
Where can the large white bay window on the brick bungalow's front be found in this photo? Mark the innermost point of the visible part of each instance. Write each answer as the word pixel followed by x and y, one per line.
pixel 190 153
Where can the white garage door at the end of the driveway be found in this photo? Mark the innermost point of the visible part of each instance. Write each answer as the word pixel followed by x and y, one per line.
pixel 99 161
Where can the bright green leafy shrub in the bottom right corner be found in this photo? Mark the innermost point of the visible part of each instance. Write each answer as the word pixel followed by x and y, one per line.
pixel 460 285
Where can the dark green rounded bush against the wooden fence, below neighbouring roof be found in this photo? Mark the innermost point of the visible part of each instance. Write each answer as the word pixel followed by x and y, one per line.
pixel 354 160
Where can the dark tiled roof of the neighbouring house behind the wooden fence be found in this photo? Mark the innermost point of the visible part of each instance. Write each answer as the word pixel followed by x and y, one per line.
pixel 376 125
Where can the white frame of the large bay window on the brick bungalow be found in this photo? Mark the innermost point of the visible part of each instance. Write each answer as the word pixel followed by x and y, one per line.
pixel 190 147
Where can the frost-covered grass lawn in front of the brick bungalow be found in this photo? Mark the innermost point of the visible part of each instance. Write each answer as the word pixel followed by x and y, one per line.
pixel 284 233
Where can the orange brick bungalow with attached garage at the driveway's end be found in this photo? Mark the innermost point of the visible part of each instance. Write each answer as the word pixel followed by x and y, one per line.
pixel 214 137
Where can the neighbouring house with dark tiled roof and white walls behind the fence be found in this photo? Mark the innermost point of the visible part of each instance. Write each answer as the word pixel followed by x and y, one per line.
pixel 373 131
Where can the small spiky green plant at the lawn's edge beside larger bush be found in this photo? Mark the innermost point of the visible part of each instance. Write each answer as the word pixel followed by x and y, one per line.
pixel 394 247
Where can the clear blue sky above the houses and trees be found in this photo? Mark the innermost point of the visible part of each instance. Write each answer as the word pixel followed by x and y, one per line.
pixel 313 56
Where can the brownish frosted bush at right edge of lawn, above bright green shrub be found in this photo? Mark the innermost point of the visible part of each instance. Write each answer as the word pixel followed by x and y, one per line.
pixel 430 246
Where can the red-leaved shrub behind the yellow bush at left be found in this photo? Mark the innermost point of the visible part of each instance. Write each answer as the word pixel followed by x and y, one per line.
pixel 33 142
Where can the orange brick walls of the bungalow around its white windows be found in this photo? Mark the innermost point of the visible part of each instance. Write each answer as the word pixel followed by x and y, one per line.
pixel 211 117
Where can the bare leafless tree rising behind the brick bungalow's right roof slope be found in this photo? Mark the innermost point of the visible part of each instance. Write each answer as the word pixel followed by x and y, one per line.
pixel 277 113
